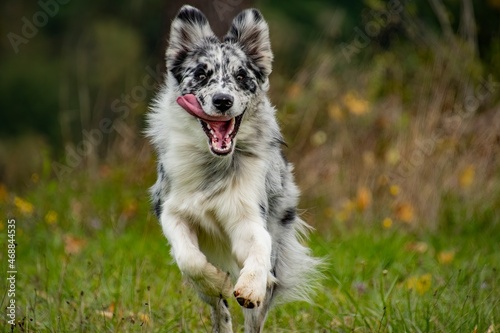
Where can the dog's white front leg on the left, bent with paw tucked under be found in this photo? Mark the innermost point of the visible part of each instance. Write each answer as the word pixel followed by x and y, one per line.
pixel 207 278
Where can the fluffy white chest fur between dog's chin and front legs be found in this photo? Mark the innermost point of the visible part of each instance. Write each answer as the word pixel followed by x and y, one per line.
pixel 214 195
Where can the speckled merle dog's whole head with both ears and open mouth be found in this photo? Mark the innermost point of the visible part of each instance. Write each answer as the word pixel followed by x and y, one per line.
pixel 218 81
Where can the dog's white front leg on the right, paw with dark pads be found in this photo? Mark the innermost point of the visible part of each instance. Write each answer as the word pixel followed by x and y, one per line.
pixel 251 244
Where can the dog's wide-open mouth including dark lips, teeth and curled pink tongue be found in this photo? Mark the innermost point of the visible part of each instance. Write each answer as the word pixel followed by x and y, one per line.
pixel 220 130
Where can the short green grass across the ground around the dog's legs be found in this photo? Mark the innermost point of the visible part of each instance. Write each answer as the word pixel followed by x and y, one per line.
pixel 91 258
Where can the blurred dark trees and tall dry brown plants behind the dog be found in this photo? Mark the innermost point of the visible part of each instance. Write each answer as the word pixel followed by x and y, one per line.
pixel 387 107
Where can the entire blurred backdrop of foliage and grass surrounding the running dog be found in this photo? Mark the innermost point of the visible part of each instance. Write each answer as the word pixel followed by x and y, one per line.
pixel 391 113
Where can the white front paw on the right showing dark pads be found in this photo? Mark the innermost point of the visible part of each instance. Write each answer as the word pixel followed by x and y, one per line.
pixel 250 289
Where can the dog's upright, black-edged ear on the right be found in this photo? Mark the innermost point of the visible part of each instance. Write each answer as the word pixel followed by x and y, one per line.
pixel 251 32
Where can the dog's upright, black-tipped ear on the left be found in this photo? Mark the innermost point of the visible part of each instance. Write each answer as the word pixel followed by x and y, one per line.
pixel 189 29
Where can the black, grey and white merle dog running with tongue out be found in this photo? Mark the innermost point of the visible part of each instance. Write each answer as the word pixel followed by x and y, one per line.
pixel 225 194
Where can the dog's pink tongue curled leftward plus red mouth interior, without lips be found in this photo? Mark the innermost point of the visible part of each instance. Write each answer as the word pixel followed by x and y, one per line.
pixel 220 126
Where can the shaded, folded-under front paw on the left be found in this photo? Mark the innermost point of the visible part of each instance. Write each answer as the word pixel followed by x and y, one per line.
pixel 213 282
